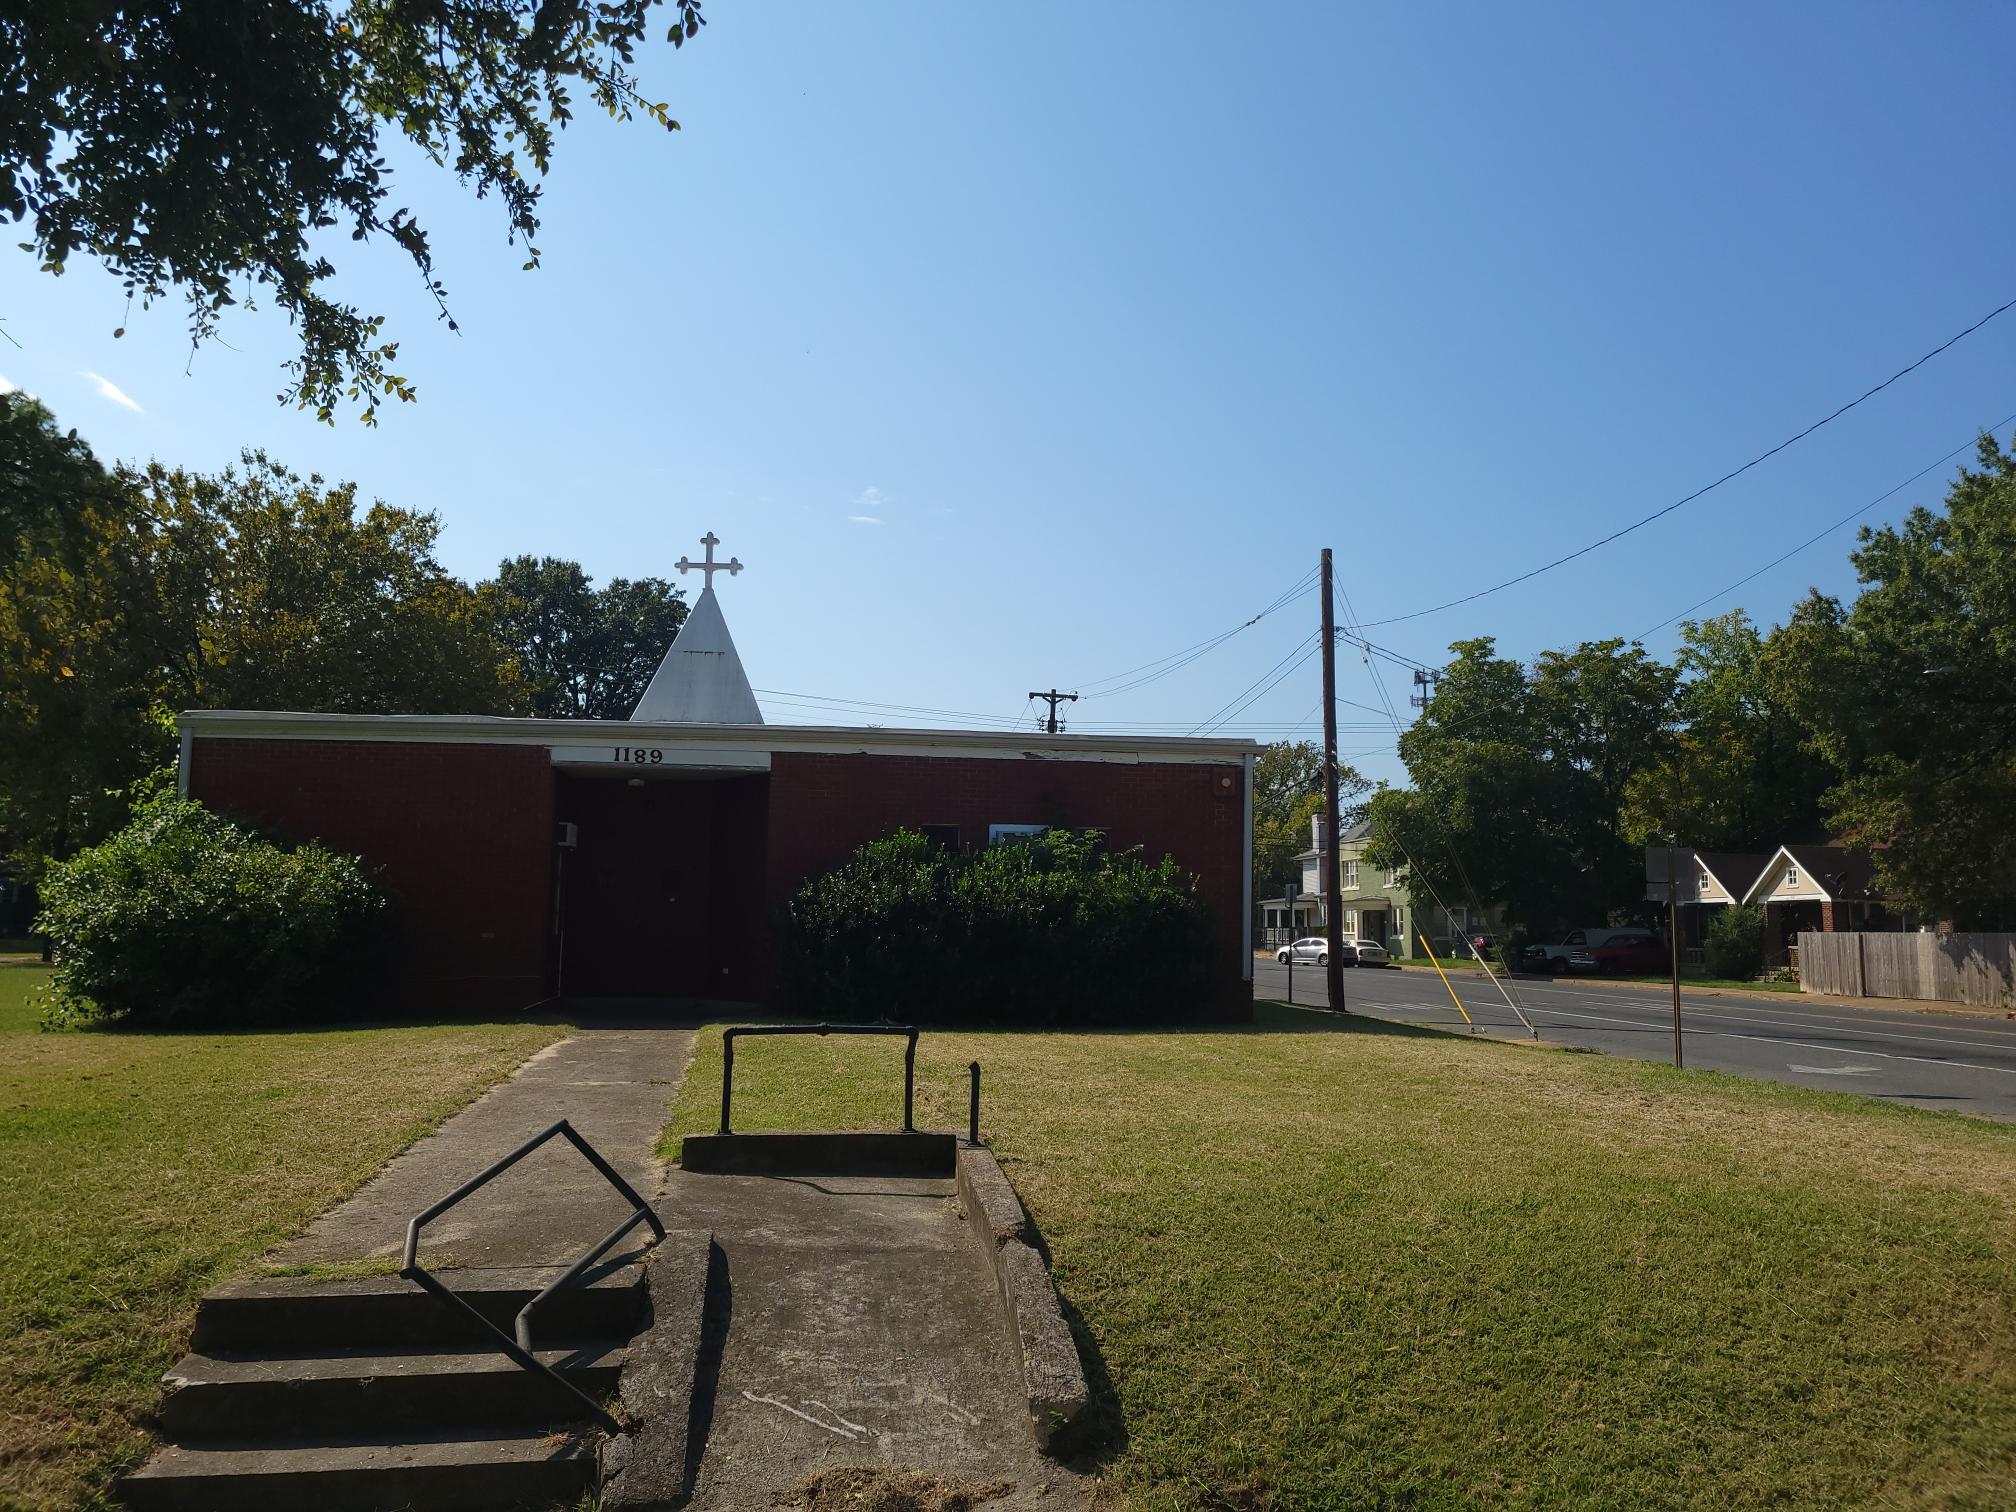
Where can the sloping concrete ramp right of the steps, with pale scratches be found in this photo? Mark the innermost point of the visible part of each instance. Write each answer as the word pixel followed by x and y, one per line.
pixel 860 1326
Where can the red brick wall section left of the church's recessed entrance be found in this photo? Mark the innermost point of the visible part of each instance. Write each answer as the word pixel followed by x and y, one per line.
pixel 461 834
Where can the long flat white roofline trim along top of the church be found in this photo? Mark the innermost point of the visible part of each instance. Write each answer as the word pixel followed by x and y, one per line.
pixel 820 739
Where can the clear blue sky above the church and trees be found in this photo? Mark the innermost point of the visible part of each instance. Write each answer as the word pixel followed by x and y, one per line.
pixel 1019 348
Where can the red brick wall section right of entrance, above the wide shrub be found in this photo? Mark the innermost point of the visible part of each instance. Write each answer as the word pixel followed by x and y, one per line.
pixel 824 807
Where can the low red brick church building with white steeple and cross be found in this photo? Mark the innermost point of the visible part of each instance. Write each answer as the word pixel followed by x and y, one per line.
pixel 608 860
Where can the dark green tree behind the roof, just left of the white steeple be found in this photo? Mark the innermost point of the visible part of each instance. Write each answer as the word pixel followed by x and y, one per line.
pixel 588 652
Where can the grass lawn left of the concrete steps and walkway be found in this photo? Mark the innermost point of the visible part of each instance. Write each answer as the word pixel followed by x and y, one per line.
pixel 138 1170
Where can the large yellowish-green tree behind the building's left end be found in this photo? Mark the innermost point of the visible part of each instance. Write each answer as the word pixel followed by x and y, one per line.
pixel 243 590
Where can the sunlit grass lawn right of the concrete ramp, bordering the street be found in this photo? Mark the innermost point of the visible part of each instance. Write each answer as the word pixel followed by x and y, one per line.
pixel 1338 1263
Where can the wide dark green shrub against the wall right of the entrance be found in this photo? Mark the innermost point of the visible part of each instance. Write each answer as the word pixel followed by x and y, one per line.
pixel 1051 930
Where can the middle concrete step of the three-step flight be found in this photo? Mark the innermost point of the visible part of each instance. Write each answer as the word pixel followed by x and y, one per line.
pixel 358 1390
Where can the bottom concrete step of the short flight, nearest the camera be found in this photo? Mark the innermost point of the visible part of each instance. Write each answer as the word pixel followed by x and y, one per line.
pixel 447 1473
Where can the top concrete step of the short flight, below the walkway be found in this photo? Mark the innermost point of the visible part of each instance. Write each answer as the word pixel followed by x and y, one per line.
pixel 291 1313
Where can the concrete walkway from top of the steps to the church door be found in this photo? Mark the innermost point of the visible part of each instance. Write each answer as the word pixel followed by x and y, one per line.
pixel 612 1084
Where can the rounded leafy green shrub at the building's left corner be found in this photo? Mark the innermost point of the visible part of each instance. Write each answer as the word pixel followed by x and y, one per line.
pixel 186 918
